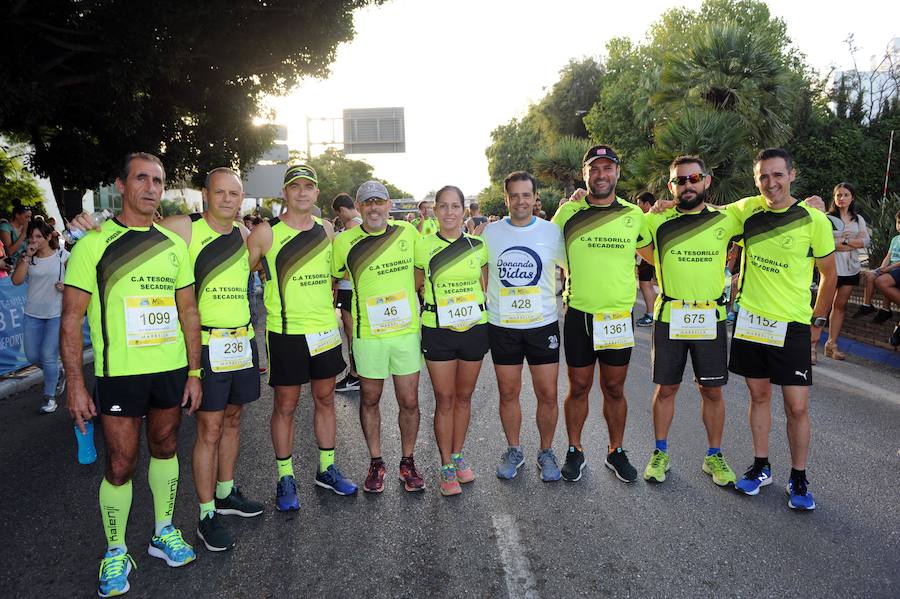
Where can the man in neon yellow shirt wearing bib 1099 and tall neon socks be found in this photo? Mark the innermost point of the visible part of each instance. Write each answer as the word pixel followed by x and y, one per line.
pixel 135 282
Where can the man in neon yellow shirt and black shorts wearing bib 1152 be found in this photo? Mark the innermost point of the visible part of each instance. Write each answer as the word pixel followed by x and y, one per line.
pixel 783 239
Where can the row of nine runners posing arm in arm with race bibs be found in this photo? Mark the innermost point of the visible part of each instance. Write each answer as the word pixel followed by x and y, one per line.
pixel 170 322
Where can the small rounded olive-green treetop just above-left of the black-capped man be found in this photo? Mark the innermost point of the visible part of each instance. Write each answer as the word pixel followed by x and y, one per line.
pixel 561 111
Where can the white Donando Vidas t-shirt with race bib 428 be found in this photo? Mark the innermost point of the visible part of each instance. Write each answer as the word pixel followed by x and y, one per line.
pixel 522 265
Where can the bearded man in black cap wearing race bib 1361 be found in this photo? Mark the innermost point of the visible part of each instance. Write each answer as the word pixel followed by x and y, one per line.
pixel 601 234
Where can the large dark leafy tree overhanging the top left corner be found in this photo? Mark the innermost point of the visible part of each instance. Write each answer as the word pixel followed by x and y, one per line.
pixel 87 82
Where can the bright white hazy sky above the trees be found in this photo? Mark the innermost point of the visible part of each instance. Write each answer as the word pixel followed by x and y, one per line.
pixel 459 69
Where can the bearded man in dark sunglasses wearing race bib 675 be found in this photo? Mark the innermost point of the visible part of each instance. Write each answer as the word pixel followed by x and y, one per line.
pixel 690 246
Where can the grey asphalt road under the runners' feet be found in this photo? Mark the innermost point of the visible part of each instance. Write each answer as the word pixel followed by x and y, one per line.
pixel 522 538
